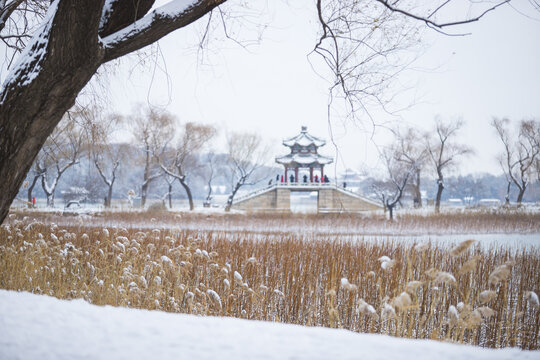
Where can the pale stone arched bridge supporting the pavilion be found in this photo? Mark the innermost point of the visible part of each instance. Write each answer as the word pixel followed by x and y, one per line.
pixel 331 199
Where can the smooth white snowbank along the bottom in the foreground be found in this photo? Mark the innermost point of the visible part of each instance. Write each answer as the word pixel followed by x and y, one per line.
pixel 42 327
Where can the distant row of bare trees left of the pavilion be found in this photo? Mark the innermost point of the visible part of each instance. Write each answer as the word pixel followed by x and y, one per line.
pixel 164 159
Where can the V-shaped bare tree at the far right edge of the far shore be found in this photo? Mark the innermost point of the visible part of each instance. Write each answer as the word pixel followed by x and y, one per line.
pixel 520 154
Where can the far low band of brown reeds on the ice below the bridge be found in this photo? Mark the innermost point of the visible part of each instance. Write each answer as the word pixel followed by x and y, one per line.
pixel 467 221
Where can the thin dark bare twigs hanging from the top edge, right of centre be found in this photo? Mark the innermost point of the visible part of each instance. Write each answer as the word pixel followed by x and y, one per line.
pixel 366 46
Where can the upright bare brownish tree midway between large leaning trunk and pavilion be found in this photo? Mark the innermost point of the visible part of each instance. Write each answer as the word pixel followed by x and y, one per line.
pixel 152 130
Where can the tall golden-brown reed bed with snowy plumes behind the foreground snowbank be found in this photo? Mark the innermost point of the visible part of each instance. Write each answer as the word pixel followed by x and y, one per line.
pixel 420 291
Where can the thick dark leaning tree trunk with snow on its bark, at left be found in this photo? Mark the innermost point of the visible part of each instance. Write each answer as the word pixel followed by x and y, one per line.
pixel 43 86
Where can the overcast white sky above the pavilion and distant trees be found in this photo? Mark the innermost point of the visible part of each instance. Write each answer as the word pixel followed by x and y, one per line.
pixel 271 89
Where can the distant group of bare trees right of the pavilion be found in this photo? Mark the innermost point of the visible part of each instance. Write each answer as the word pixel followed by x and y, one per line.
pixel 437 153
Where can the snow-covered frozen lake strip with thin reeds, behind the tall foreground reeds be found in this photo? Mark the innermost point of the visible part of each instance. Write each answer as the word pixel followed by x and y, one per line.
pixel 489 235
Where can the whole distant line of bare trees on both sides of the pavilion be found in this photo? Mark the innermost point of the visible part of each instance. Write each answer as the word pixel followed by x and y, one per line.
pixel 167 159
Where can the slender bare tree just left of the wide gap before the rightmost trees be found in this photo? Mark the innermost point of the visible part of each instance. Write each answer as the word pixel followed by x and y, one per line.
pixel 444 152
